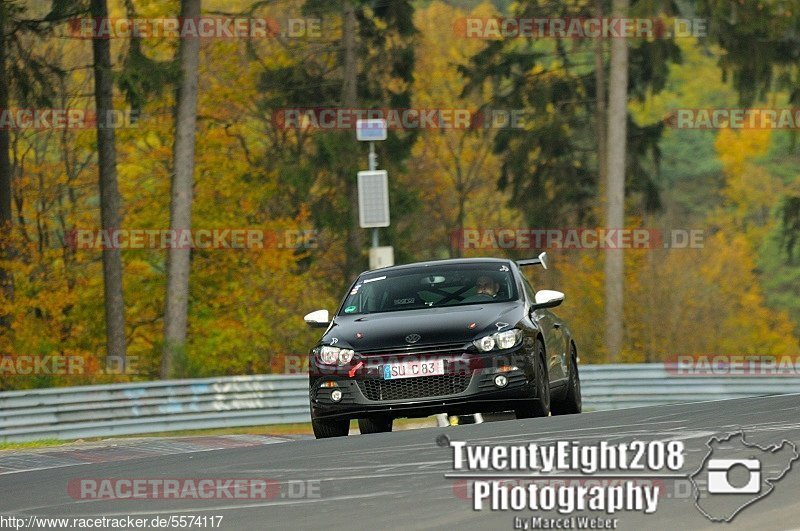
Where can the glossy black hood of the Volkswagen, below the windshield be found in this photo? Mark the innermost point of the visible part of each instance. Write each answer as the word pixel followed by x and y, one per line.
pixel 380 331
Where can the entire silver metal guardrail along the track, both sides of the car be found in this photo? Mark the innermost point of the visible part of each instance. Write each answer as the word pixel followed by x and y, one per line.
pixel 129 409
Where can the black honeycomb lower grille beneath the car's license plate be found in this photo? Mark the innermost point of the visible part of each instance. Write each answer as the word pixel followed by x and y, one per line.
pixel 425 386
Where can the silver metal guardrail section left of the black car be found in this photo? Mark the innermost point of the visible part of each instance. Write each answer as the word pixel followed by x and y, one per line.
pixel 129 409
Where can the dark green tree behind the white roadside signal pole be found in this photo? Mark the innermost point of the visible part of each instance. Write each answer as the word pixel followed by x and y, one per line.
pixel 365 57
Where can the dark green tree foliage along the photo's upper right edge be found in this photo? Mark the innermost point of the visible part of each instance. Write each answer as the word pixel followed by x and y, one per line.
pixel 759 50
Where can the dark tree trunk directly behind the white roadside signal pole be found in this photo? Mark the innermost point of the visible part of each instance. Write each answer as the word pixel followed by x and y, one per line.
pixel 355 237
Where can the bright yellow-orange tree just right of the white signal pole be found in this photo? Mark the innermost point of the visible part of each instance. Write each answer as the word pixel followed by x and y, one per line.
pixel 454 168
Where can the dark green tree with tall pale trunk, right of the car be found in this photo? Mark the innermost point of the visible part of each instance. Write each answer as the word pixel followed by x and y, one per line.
pixel 551 166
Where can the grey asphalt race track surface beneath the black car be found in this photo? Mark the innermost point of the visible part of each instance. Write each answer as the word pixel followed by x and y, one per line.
pixel 397 480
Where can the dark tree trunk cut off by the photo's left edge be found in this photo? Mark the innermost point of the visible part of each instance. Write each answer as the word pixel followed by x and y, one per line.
pixel 6 280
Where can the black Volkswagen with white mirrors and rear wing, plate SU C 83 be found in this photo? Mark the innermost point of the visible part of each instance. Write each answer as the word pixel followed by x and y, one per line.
pixel 458 336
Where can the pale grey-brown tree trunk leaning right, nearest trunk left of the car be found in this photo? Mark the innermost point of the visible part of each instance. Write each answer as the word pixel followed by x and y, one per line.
pixel 179 260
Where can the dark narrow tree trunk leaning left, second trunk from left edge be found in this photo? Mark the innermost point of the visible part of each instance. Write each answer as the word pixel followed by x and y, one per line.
pixel 109 192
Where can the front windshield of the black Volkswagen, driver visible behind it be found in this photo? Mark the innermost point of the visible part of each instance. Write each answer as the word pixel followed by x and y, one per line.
pixel 430 287
